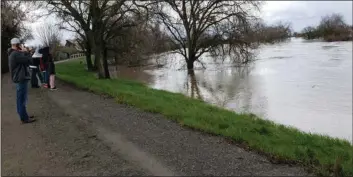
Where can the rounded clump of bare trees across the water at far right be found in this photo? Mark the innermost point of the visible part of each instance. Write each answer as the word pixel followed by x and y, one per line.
pixel 331 28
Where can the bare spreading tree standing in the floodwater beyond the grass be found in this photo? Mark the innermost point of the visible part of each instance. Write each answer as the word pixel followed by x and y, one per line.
pixel 198 27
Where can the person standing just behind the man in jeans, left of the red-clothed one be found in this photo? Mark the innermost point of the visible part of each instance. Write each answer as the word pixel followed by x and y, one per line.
pixel 35 69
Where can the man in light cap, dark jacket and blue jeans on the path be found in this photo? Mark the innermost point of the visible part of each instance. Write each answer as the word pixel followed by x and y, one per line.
pixel 19 62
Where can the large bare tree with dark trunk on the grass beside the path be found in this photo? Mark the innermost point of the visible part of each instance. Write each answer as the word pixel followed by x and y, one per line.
pixel 98 20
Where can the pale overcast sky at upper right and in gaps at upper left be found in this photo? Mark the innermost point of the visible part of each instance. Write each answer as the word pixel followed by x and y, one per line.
pixel 299 13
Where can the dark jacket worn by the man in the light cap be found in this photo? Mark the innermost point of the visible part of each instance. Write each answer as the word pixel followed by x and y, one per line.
pixel 18 64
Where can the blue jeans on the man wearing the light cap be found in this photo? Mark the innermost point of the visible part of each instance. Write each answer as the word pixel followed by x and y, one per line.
pixel 21 99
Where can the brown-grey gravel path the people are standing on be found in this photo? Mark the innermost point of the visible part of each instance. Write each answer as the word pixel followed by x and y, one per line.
pixel 80 133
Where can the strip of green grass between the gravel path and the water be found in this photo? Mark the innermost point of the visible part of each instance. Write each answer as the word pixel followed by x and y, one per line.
pixel 321 155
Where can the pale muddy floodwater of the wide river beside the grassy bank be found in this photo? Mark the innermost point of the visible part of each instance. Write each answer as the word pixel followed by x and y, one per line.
pixel 307 85
